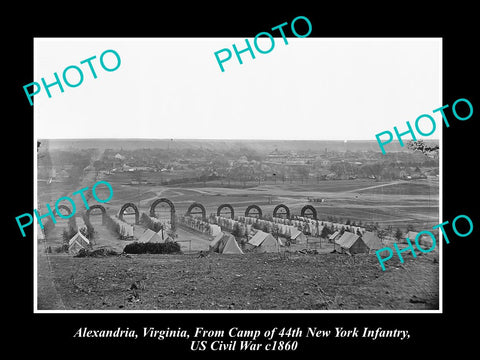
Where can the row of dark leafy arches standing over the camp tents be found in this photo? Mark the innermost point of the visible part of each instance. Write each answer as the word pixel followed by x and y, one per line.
pixel 198 209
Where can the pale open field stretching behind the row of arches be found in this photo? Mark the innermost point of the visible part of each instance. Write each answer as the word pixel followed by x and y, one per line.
pixel 396 203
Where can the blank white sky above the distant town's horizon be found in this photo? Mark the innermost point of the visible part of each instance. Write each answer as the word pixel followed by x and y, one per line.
pixel 312 88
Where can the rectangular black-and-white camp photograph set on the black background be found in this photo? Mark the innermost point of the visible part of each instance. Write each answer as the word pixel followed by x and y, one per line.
pixel 166 184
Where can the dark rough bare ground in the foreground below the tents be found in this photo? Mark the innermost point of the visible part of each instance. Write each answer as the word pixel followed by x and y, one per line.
pixel 245 282
